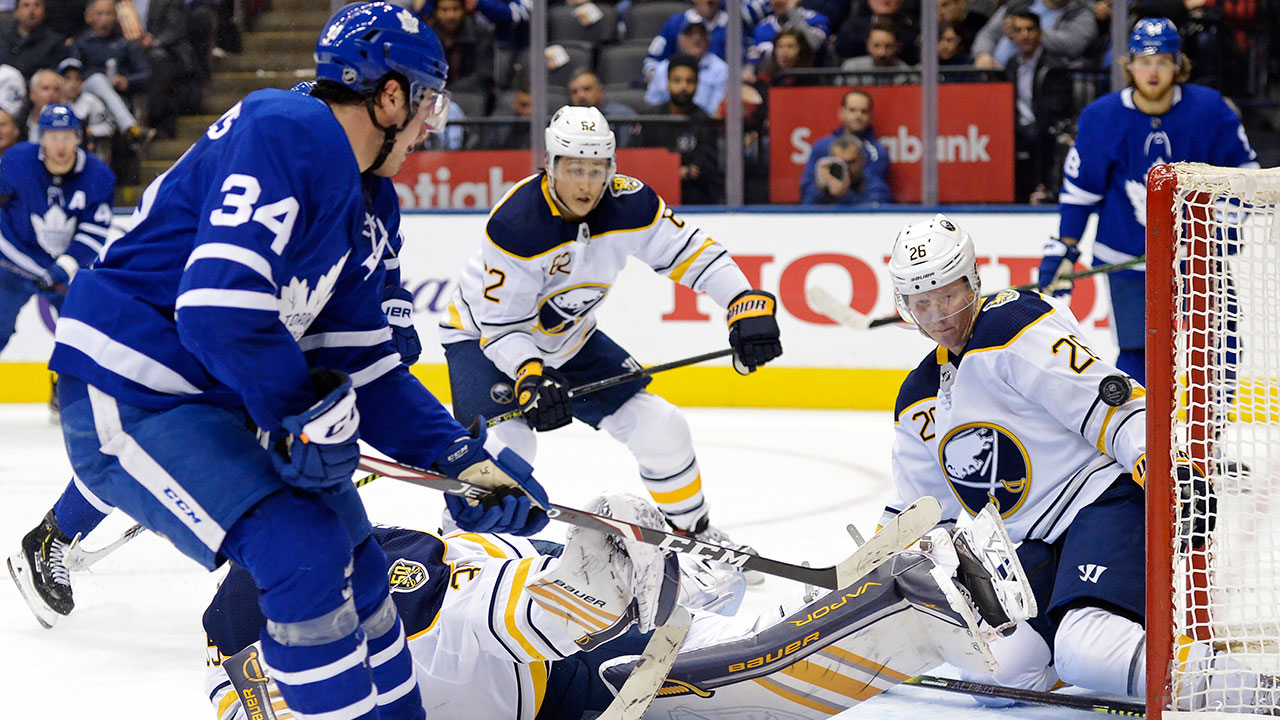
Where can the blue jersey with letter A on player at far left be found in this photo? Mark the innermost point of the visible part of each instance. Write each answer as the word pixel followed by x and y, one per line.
pixel 45 216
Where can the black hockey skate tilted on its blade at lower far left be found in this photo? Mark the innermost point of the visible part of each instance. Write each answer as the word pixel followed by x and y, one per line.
pixel 40 575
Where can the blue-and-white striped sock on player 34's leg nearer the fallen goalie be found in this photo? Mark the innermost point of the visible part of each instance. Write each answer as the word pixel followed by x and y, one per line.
pixel 390 659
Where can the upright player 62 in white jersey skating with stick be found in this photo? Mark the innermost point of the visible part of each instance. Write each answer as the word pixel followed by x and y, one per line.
pixel 522 329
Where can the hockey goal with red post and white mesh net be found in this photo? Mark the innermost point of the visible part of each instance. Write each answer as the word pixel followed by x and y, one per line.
pixel 1214 398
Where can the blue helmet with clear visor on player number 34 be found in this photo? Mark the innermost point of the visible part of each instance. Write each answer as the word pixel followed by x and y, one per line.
pixel 363 43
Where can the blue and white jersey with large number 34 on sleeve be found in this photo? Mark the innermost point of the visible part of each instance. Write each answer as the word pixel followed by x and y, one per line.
pixel 254 259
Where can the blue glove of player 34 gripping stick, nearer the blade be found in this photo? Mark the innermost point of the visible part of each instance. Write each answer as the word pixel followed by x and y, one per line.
pixel 511 509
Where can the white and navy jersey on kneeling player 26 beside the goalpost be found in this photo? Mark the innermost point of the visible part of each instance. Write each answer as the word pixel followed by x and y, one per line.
pixel 1016 421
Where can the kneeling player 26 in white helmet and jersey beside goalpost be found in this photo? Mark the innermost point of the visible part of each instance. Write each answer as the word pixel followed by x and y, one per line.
pixel 1014 409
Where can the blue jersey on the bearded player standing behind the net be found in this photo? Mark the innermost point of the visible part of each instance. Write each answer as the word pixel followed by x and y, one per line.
pixel 1118 144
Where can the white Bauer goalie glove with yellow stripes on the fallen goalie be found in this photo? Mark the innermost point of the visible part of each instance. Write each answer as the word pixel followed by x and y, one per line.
pixel 605 584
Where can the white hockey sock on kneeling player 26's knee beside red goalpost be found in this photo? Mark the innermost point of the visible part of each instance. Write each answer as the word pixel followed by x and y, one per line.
pixel 1101 651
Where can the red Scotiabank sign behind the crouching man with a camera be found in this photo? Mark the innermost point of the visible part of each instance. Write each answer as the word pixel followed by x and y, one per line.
pixel 976 139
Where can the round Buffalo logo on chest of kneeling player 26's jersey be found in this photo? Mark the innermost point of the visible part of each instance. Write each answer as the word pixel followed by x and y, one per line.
pixel 986 463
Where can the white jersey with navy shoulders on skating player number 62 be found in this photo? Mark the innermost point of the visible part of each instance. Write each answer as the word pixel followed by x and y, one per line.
pixel 533 289
